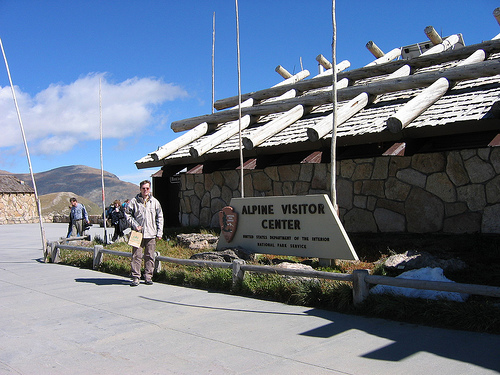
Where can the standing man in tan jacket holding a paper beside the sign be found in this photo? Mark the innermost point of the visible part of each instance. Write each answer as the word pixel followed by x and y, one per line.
pixel 144 214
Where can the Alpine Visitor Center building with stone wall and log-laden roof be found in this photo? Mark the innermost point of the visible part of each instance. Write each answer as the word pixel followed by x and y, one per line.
pixel 416 148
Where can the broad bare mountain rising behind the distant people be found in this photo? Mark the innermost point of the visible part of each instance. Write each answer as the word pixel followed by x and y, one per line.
pixel 82 181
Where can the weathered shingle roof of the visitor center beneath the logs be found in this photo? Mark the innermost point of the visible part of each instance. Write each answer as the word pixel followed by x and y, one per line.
pixel 473 96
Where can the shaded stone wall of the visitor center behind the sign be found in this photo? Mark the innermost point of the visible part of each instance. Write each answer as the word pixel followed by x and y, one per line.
pixel 442 192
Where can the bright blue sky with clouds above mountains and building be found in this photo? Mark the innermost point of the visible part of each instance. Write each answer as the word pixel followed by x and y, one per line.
pixel 140 65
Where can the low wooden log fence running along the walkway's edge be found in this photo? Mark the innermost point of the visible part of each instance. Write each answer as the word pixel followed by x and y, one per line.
pixel 360 279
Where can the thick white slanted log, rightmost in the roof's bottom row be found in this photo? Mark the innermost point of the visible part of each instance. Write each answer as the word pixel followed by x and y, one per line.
pixel 416 106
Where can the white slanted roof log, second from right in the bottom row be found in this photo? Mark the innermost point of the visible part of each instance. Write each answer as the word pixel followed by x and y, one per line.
pixel 344 113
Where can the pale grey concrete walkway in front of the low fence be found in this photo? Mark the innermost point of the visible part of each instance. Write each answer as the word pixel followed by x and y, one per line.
pixel 65 320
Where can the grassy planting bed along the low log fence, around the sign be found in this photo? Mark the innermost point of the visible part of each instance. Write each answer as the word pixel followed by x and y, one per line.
pixel 479 314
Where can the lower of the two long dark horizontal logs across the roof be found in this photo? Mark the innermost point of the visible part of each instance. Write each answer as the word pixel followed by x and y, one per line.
pixel 483 69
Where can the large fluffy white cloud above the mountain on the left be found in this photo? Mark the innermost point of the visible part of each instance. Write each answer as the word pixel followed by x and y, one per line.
pixel 57 118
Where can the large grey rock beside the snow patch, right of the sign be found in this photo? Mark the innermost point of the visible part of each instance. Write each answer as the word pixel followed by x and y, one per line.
pixel 415 259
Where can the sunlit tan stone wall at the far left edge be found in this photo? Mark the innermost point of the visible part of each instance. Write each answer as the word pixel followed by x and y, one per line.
pixel 18 208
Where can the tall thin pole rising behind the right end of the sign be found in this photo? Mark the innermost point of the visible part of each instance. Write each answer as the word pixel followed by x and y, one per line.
pixel 333 162
